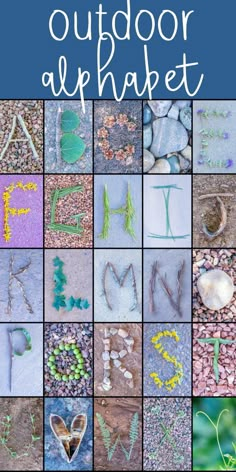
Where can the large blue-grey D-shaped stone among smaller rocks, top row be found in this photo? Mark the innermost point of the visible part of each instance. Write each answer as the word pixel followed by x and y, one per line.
pixel 168 136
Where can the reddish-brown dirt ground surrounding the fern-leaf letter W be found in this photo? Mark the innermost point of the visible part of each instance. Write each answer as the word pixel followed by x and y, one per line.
pixel 117 413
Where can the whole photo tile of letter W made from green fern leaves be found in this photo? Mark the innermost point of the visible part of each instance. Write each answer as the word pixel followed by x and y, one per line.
pixel 122 418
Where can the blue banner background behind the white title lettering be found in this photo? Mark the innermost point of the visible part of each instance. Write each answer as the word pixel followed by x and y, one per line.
pixel 27 49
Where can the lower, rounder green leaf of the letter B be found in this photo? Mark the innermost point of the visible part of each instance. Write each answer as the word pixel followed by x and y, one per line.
pixel 72 147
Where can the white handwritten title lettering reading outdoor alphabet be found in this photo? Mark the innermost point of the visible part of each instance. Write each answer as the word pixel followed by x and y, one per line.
pixel 134 30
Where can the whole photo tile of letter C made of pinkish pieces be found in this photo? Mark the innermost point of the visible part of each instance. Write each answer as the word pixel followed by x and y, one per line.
pixel 117 137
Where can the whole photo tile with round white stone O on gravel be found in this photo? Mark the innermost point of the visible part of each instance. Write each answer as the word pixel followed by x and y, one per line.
pixel 213 285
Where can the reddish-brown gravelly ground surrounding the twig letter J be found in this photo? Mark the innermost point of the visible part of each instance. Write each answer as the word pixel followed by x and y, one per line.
pixel 207 210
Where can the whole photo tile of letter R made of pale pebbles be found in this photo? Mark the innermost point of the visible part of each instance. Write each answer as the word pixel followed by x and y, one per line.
pixel 118 359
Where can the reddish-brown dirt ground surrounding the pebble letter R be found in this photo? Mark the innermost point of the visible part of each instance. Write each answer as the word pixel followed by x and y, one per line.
pixel 132 362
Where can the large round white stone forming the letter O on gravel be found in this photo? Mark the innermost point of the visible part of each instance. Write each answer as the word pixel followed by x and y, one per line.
pixel 216 289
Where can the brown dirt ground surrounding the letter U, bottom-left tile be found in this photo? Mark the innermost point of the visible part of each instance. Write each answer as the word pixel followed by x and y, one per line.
pixel 20 410
